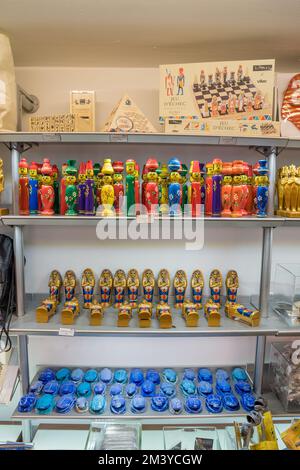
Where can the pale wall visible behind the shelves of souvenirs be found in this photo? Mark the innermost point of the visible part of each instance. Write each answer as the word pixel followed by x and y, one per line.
pixel 62 248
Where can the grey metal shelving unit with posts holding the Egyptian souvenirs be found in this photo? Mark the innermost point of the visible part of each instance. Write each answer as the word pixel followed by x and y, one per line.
pixel 23 326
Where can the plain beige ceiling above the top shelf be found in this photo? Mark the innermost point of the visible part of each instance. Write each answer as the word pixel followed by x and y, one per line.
pixel 146 33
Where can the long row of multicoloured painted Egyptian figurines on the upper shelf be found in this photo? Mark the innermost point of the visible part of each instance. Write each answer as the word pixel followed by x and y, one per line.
pixel 226 189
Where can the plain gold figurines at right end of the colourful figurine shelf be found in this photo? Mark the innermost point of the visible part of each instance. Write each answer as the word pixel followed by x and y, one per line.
pixel 288 191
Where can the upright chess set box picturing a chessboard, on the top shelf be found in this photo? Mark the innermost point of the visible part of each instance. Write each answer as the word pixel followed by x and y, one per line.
pixel 217 90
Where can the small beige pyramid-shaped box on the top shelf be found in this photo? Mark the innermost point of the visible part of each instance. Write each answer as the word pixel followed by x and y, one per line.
pixel 127 117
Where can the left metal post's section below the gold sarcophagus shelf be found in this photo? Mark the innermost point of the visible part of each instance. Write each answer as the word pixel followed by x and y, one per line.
pixel 24 379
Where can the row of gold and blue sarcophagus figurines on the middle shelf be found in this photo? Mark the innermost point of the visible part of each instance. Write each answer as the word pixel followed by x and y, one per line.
pixel 119 283
